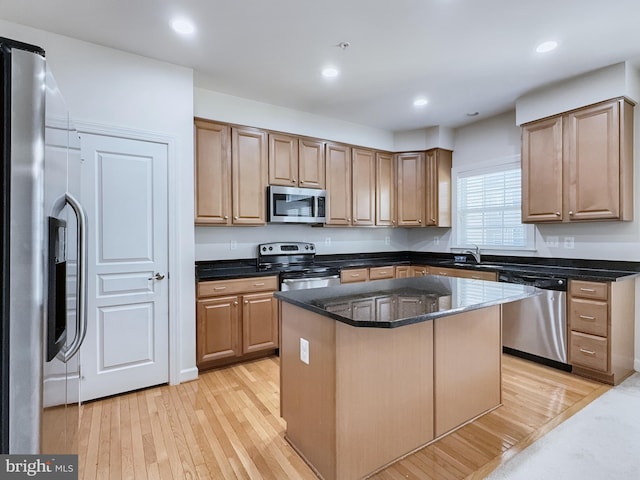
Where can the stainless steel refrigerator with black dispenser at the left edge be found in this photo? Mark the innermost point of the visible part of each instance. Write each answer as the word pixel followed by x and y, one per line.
pixel 43 268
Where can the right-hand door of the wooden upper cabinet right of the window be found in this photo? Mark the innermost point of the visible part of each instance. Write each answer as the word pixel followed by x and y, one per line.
pixel 592 161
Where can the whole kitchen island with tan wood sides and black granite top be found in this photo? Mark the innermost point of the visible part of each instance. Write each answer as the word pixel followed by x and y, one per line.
pixel 371 372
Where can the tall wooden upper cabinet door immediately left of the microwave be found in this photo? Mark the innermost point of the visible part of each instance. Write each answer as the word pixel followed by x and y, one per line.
pixel 249 175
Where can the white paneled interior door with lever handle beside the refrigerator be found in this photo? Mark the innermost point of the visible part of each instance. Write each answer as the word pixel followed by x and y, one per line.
pixel 125 194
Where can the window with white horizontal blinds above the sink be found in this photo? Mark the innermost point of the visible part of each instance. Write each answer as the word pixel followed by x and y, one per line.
pixel 489 208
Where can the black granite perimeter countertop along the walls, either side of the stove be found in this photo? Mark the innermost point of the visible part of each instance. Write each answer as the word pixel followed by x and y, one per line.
pixel 577 269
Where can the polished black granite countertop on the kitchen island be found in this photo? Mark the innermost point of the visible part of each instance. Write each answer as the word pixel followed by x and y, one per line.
pixel 394 303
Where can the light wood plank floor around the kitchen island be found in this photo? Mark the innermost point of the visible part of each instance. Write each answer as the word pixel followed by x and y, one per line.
pixel 226 425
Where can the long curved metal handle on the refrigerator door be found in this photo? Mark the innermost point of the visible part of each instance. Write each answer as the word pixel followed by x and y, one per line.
pixel 81 288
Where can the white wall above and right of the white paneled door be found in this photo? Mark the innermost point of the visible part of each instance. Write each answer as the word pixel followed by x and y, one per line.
pixel 111 88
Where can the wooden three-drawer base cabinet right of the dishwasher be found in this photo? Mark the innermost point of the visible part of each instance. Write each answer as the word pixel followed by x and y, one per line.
pixel 601 329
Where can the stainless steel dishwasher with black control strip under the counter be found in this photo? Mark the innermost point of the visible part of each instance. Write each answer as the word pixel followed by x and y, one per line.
pixel 536 328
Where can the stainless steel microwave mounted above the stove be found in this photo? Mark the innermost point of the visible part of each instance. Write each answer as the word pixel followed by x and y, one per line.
pixel 295 205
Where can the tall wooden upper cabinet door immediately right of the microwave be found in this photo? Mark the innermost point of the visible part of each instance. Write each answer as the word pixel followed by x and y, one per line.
pixel 338 176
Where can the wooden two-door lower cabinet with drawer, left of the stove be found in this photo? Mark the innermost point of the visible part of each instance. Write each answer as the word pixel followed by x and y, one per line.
pixel 236 320
